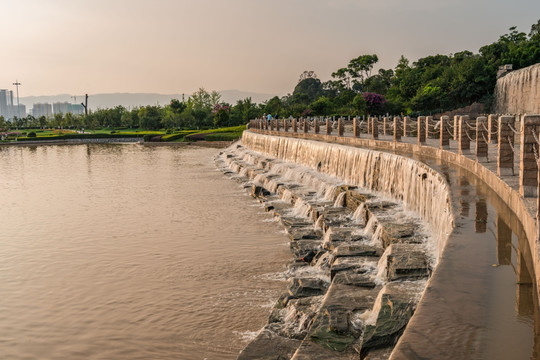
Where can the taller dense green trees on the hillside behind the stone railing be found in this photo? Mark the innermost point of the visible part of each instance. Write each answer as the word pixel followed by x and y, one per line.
pixel 431 84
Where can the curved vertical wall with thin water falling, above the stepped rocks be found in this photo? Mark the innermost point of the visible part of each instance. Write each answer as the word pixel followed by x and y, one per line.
pixel 421 188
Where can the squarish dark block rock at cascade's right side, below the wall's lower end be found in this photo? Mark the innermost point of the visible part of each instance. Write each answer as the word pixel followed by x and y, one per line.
pixel 407 262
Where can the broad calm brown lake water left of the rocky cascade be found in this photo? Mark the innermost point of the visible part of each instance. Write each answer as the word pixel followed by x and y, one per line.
pixel 129 252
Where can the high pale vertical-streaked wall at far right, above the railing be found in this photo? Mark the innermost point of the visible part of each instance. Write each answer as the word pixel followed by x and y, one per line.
pixel 518 92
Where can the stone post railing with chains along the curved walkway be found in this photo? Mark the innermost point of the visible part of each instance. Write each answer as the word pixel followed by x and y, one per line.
pixel 480 134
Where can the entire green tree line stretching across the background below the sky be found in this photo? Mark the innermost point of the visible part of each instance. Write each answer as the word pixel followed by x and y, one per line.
pixel 431 84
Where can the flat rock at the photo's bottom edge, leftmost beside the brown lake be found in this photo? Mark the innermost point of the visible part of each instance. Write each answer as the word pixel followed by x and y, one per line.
pixel 269 346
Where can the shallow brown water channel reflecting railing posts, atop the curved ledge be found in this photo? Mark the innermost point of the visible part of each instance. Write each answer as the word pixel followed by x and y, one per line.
pixel 490 307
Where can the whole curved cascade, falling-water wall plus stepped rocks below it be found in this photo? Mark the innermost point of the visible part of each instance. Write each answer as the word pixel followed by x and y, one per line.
pixel 362 245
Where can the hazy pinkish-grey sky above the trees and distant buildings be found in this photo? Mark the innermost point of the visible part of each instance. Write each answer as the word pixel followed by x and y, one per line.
pixel 177 46
